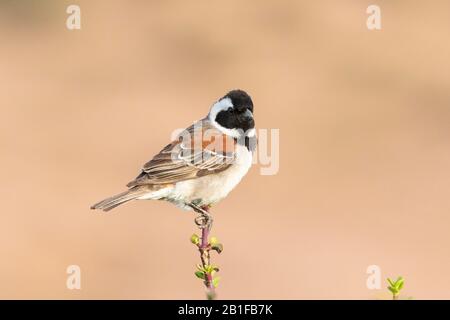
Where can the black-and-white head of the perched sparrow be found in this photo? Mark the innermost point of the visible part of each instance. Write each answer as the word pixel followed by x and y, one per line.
pixel 234 111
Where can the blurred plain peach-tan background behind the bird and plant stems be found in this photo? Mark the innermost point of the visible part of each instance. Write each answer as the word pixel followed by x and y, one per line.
pixel 364 173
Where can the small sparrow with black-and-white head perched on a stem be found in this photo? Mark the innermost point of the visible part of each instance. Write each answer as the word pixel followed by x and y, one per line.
pixel 204 163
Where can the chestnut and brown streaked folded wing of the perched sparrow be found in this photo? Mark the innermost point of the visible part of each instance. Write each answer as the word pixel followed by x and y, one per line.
pixel 199 150
